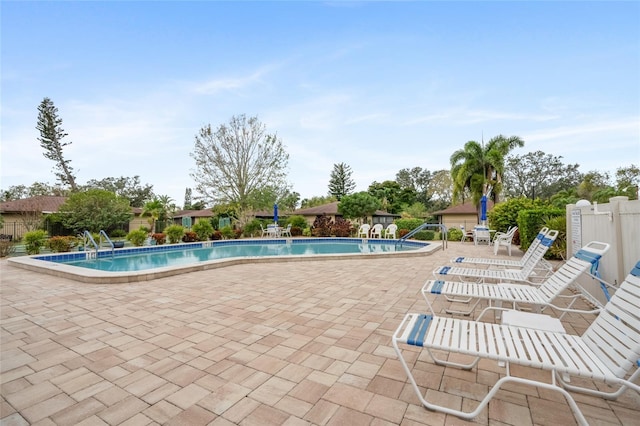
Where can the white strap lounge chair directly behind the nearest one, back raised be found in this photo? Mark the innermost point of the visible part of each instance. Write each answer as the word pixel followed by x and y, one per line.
pixel 545 295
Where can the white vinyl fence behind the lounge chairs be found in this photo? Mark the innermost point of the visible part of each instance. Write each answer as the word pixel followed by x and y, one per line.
pixel 616 223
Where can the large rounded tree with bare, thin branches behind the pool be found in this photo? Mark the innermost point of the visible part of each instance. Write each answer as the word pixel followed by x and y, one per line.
pixel 237 160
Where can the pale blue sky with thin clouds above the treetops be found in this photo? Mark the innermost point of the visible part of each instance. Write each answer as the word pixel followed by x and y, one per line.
pixel 380 86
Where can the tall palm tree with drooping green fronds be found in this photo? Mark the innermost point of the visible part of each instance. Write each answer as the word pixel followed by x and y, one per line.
pixel 478 168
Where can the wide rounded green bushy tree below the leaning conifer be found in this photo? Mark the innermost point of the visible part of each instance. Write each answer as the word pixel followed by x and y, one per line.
pixel 94 210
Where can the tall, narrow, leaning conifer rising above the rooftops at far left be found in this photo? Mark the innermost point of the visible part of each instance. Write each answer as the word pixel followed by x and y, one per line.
pixel 51 136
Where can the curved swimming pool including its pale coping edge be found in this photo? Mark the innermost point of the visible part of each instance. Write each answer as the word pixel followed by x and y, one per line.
pixel 146 263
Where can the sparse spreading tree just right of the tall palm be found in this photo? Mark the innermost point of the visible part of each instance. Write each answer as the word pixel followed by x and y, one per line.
pixel 538 175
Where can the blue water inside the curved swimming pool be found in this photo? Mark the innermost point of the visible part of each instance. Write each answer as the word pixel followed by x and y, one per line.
pixel 147 258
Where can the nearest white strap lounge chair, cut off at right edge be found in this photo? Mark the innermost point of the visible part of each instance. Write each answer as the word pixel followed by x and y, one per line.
pixel 607 352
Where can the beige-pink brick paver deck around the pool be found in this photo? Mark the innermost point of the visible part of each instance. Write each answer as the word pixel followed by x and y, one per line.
pixel 279 343
